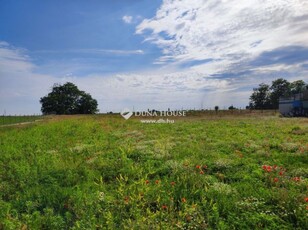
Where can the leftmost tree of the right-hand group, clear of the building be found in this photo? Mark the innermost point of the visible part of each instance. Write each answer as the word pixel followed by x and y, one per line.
pixel 260 98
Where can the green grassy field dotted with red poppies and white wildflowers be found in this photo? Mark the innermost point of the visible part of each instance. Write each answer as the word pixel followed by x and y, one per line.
pixel 102 172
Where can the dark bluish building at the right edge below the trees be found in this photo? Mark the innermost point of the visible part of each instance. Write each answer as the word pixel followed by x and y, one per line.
pixel 296 105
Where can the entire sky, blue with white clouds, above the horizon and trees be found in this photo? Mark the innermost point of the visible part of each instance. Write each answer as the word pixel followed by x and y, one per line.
pixel 149 54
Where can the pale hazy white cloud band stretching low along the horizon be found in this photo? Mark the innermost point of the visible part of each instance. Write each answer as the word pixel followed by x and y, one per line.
pixel 21 86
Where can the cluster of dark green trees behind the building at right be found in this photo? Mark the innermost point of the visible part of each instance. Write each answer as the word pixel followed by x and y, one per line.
pixel 267 96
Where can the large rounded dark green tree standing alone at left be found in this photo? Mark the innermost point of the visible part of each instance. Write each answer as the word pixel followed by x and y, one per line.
pixel 68 99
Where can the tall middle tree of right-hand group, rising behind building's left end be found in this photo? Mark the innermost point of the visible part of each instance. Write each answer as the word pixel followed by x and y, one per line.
pixel 279 88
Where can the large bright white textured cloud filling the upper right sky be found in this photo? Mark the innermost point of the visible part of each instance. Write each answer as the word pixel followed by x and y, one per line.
pixel 231 30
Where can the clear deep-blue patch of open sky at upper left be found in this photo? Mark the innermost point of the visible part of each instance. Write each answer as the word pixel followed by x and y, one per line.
pixel 78 33
